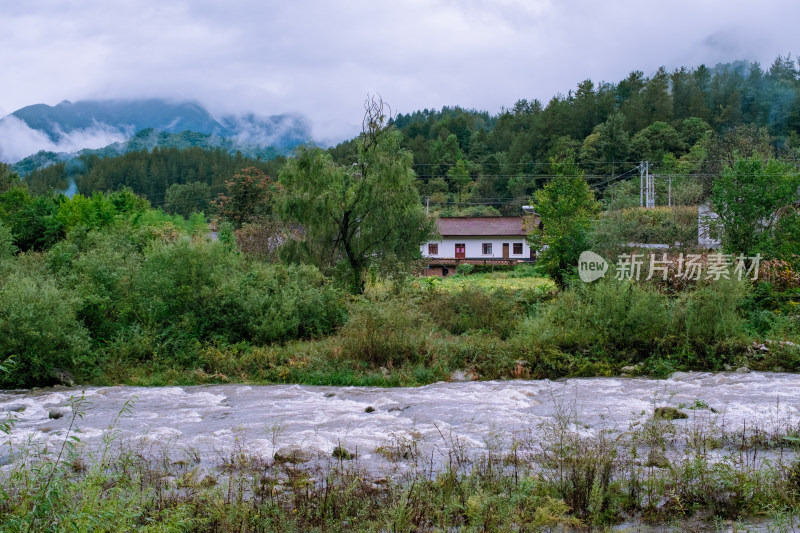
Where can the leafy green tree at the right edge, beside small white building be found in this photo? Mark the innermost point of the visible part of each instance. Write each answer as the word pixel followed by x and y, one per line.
pixel 750 199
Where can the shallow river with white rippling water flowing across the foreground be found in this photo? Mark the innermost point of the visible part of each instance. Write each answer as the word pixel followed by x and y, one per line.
pixel 434 421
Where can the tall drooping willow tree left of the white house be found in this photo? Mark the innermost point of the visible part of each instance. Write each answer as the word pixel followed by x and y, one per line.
pixel 353 216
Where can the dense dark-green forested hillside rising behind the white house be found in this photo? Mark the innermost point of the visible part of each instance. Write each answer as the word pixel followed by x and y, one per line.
pixel 689 121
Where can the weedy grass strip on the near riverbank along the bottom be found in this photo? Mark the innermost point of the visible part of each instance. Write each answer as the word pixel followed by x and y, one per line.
pixel 559 474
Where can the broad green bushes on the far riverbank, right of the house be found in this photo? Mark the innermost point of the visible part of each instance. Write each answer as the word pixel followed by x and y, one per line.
pixel 625 321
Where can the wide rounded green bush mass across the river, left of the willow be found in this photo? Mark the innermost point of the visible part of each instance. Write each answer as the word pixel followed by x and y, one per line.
pixel 200 291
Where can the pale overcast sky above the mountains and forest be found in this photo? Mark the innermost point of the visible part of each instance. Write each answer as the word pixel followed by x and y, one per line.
pixel 320 58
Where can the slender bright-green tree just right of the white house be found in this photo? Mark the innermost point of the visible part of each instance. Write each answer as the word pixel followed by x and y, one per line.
pixel 566 207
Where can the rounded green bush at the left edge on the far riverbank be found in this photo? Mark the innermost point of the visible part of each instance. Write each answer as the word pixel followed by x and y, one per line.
pixel 39 326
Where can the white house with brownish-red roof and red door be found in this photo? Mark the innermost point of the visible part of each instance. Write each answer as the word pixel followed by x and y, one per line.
pixel 478 239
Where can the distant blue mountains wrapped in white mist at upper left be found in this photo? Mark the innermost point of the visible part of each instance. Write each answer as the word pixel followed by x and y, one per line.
pixel 70 127
